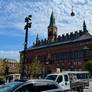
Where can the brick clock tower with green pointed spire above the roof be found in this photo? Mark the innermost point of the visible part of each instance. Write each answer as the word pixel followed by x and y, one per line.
pixel 52 29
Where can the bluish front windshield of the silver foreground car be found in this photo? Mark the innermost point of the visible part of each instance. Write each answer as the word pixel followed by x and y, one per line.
pixel 10 86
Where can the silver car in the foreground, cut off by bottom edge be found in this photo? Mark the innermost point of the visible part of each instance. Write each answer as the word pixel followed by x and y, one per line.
pixel 32 86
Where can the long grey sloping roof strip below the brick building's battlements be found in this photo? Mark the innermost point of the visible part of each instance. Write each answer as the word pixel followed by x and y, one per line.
pixel 80 38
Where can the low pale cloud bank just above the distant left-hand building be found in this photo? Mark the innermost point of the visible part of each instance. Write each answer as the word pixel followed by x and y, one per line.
pixel 10 54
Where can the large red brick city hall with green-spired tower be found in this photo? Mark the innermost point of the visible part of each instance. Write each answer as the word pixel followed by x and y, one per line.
pixel 62 53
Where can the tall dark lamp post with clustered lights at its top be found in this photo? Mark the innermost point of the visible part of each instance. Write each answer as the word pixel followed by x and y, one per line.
pixel 26 27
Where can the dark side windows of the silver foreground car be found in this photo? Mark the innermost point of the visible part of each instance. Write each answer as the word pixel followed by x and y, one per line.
pixel 37 87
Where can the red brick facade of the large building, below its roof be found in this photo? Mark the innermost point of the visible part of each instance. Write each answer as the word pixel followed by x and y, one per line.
pixel 62 55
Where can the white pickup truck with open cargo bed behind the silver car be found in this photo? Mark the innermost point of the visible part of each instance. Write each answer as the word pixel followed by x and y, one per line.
pixel 71 80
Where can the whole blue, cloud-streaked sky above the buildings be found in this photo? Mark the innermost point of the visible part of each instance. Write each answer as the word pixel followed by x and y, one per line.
pixel 13 13
